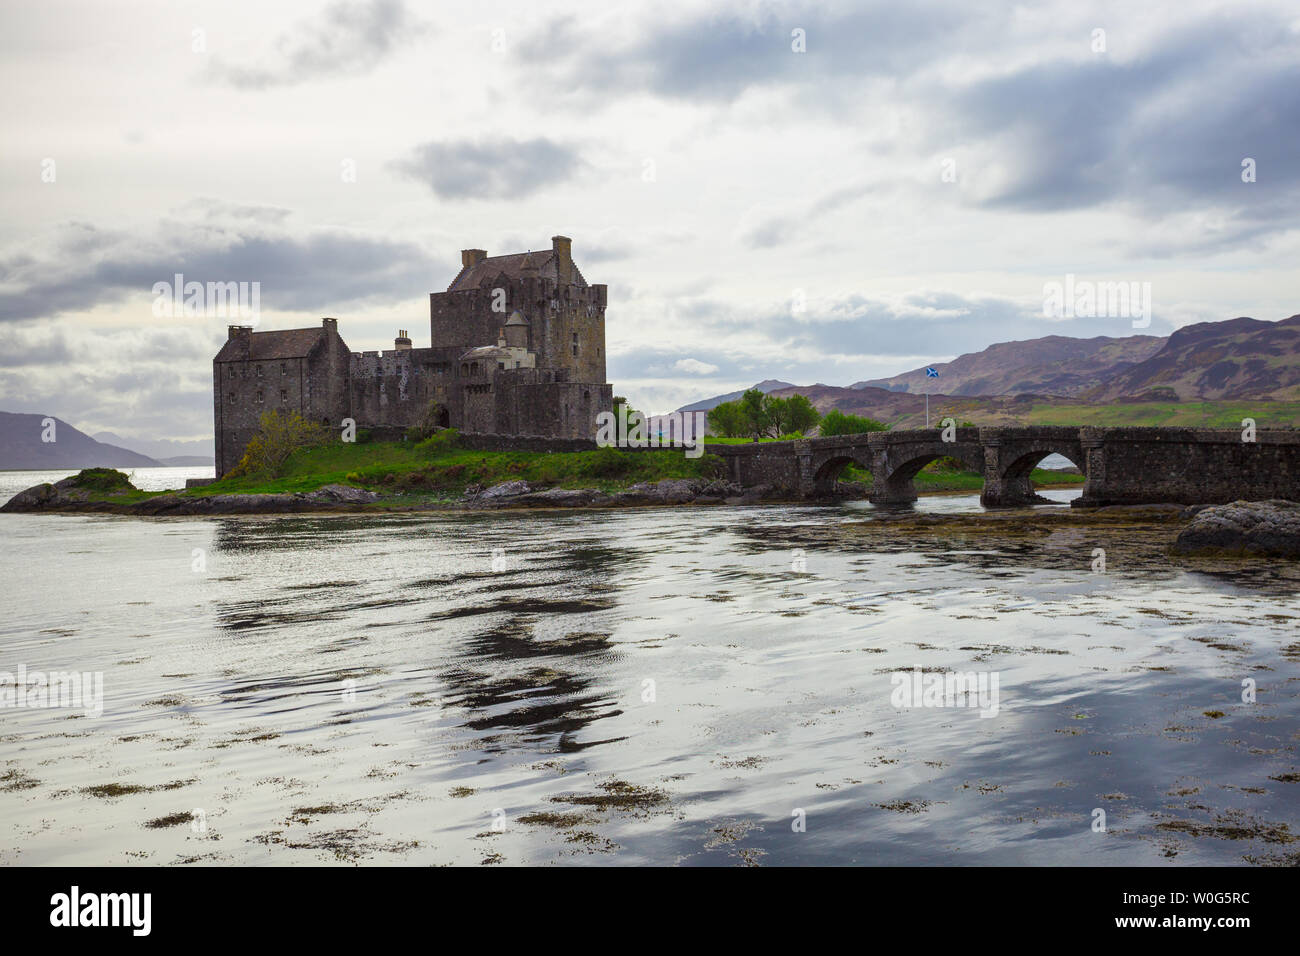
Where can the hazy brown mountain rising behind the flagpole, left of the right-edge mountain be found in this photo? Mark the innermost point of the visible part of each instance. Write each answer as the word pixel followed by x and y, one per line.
pixel 1048 366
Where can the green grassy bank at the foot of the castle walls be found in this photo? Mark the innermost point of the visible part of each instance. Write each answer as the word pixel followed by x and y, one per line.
pixel 444 471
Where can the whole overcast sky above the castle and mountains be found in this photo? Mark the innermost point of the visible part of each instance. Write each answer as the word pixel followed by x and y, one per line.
pixel 912 179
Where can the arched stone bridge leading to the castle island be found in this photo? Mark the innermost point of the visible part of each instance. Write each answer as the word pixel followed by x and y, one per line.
pixel 1123 466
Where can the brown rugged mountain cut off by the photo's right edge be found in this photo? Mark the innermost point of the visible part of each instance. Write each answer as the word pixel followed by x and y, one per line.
pixel 1237 360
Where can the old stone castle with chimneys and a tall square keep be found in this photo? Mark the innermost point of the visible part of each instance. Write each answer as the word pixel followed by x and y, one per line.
pixel 517 349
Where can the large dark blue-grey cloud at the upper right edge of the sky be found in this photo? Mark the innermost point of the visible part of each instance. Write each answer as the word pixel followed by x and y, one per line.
pixel 1158 131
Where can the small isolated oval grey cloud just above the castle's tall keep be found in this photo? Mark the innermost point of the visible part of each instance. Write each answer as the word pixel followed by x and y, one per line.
pixel 501 168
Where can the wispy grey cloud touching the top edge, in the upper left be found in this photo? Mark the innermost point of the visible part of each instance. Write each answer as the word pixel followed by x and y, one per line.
pixel 350 38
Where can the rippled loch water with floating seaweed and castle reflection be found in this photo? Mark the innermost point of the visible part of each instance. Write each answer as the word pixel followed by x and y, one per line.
pixel 651 686
